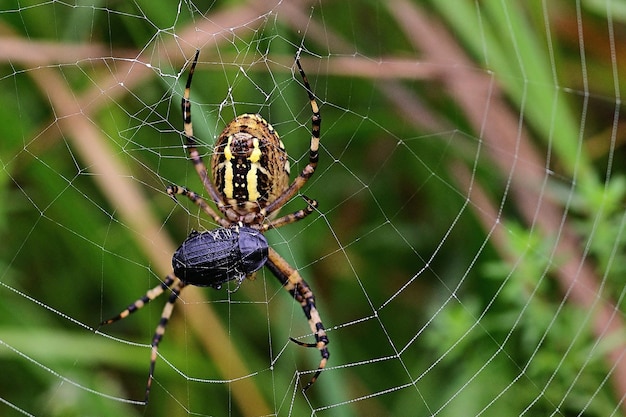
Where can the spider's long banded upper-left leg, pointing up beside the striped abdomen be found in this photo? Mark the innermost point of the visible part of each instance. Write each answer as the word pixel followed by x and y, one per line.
pixel 191 143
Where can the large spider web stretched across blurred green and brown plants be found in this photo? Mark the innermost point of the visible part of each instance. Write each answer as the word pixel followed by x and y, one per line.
pixel 467 254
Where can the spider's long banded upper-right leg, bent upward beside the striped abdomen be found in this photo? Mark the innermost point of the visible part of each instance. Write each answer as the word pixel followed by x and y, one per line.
pixel 309 169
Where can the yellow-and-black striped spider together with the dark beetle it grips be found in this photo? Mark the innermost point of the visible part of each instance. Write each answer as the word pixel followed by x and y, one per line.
pixel 250 184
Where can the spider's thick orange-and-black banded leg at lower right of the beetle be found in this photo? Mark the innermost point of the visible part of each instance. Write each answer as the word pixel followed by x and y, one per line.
pixel 301 292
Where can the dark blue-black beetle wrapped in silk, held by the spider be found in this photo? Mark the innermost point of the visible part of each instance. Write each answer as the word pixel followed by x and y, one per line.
pixel 211 258
